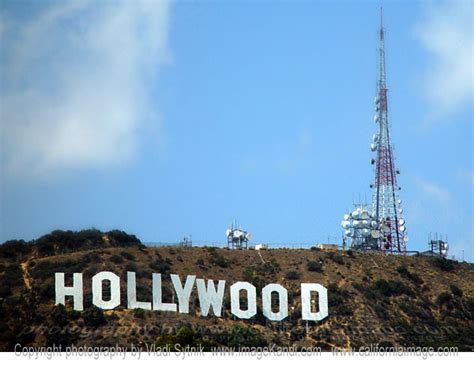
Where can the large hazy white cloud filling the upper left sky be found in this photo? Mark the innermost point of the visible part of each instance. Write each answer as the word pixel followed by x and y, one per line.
pixel 76 83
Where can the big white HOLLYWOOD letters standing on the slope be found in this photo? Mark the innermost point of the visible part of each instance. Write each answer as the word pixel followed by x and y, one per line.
pixel 209 296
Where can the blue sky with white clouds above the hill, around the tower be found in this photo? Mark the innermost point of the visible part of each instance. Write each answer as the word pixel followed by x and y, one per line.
pixel 168 119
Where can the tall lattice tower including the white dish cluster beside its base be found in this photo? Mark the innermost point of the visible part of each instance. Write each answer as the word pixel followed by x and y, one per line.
pixel 382 227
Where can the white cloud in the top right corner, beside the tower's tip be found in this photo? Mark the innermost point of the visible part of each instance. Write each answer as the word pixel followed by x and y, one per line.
pixel 447 34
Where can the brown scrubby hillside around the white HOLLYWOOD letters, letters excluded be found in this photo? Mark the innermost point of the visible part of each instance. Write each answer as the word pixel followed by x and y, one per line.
pixel 373 298
